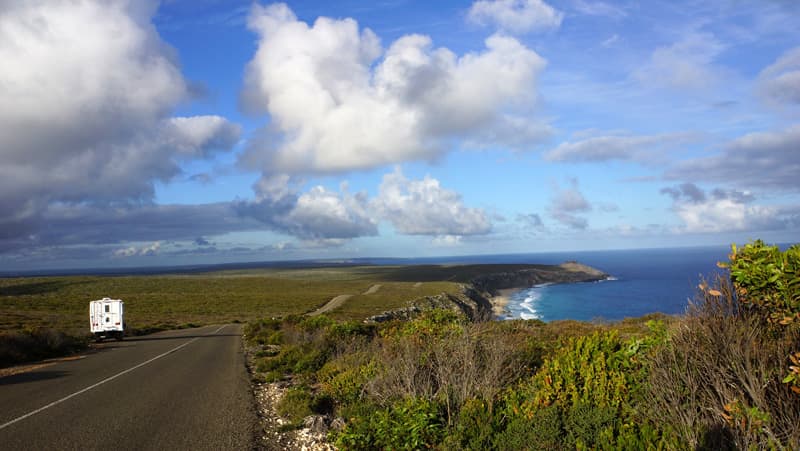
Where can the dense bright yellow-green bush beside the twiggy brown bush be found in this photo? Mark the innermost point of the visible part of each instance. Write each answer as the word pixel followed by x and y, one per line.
pixel 588 395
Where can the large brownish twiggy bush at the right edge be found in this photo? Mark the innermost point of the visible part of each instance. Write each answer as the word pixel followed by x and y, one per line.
pixel 717 381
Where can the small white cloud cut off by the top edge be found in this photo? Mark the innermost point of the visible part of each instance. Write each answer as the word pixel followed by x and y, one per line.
pixel 515 16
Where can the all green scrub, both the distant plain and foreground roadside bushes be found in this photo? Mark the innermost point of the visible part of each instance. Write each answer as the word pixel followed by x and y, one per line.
pixel 726 375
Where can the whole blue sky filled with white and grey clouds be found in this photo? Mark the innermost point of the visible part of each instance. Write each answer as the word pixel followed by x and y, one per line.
pixel 144 133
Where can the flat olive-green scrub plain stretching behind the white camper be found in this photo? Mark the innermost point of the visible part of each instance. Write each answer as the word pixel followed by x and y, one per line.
pixel 169 301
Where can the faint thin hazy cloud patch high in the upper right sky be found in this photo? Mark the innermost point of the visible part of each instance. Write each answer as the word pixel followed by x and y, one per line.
pixel 686 64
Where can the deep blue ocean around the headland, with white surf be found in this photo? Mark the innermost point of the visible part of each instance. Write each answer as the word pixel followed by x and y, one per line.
pixel 642 281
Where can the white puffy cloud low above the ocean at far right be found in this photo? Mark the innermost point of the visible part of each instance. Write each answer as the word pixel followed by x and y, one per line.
pixel 723 210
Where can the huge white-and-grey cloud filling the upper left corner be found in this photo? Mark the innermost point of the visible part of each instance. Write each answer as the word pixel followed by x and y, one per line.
pixel 86 106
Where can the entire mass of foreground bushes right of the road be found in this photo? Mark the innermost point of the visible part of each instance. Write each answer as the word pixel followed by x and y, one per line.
pixel 723 376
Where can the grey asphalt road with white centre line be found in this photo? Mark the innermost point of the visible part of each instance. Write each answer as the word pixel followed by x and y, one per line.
pixel 176 390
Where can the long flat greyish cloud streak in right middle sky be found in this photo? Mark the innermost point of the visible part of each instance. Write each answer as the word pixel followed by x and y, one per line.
pixel 614 147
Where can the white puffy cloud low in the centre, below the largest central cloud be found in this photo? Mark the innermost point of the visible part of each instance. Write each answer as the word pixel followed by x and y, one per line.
pixel 423 207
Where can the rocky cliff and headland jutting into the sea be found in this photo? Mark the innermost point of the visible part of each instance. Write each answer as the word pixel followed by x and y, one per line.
pixel 474 298
